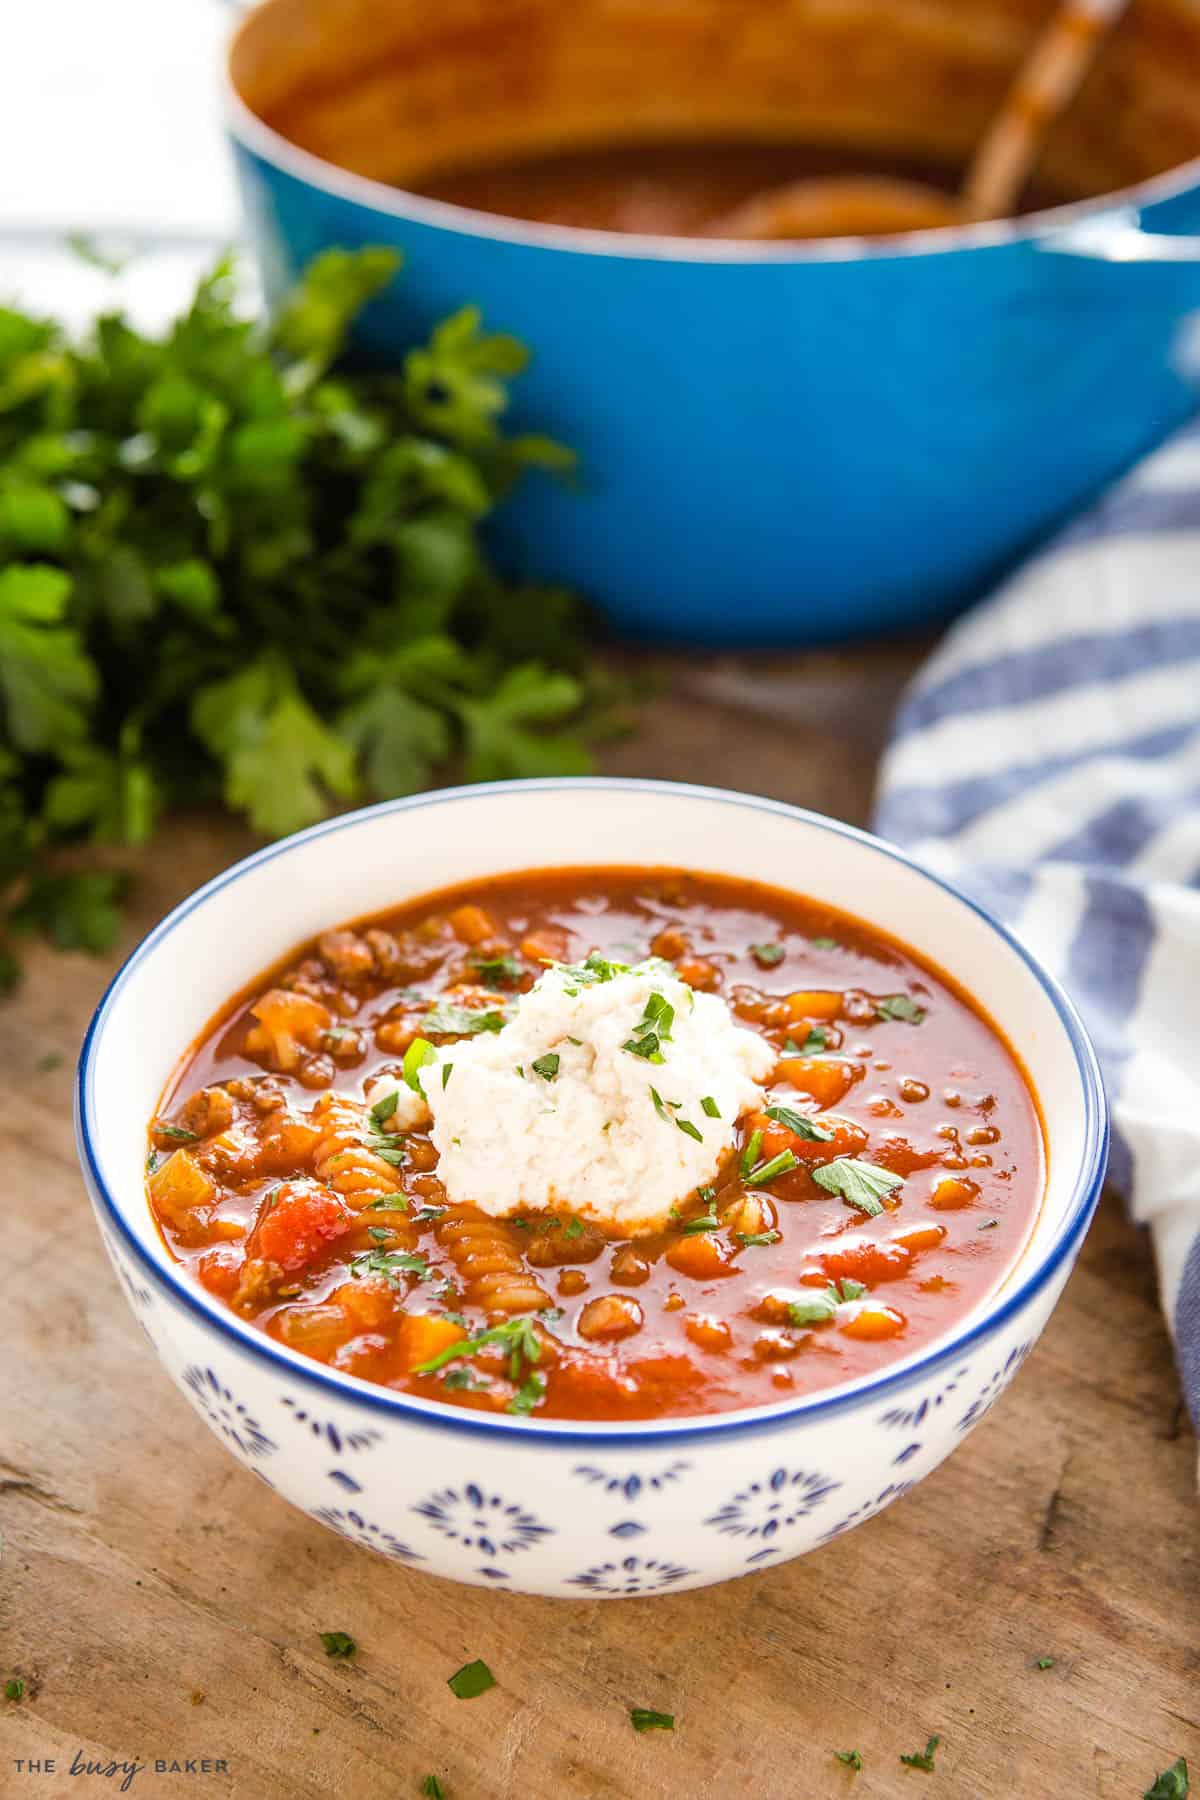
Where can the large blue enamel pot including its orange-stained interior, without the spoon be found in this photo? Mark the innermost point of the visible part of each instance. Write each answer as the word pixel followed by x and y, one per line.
pixel 780 442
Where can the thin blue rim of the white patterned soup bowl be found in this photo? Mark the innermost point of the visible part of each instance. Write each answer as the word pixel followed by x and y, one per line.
pixel 350 1389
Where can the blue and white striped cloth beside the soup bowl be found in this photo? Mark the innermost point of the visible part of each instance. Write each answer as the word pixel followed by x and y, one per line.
pixel 1048 760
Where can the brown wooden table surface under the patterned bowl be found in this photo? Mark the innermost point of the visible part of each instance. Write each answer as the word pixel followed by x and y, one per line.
pixel 163 1605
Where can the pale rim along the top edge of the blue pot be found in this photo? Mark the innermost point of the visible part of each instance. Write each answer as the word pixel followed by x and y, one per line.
pixel 260 139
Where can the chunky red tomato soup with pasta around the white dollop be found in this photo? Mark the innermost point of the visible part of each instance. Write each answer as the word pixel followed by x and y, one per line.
pixel 881 1185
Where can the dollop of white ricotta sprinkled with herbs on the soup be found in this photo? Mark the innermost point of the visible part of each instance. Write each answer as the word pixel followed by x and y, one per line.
pixel 559 1111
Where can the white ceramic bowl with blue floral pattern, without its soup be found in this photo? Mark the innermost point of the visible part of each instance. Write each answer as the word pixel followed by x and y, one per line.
pixel 571 1509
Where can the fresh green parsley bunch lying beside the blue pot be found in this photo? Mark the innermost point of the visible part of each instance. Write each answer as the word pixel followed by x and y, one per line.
pixel 231 570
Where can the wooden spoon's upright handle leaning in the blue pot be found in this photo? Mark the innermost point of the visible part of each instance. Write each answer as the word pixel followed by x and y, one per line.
pixel 1048 82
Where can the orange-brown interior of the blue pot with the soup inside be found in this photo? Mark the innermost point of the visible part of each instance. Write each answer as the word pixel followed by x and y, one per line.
pixel 661 116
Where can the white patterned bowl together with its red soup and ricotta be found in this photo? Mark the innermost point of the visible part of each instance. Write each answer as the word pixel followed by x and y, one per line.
pixel 589 1187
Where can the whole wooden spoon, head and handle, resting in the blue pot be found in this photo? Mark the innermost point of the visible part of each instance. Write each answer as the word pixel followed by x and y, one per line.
pixel 864 206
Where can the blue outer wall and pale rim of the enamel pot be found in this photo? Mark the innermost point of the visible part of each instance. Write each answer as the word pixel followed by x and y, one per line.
pixel 784 444
